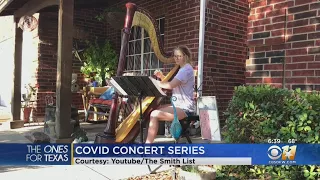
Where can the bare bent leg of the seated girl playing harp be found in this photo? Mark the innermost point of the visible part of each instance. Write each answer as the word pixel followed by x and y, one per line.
pixel 162 114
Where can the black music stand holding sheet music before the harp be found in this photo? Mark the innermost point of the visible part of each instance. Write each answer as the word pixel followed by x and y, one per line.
pixel 137 86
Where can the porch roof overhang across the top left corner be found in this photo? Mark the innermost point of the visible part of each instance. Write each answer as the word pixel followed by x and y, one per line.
pixel 12 7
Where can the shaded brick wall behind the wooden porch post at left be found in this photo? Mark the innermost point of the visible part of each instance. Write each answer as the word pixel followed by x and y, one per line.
pixel 85 27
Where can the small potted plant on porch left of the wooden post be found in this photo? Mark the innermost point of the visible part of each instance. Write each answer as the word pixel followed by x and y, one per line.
pixel 29 95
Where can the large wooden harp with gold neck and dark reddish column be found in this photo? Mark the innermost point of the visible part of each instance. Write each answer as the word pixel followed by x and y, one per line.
pixel 128 129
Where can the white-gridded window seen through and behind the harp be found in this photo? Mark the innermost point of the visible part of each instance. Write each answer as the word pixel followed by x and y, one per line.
pixel 141 57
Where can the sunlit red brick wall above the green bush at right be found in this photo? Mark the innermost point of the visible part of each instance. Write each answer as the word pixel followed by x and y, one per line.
pixel 284 32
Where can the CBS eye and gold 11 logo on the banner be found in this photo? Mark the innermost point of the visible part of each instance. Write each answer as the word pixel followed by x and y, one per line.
pixel 286 152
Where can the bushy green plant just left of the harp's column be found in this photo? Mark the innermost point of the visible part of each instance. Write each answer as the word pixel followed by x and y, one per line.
pixel 101 59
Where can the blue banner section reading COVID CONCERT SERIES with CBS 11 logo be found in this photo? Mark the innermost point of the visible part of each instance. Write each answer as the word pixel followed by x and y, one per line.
pixel 260 154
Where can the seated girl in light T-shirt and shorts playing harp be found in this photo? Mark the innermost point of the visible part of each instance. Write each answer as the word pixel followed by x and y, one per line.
pixel 182 86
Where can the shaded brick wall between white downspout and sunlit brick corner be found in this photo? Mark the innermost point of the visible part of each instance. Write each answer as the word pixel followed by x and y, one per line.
pixel 225 49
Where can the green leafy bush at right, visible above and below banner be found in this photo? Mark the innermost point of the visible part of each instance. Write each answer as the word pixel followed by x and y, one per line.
pixel 256 114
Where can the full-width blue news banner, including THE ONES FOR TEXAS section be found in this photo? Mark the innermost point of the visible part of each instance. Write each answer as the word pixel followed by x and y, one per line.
pixel 254 154
